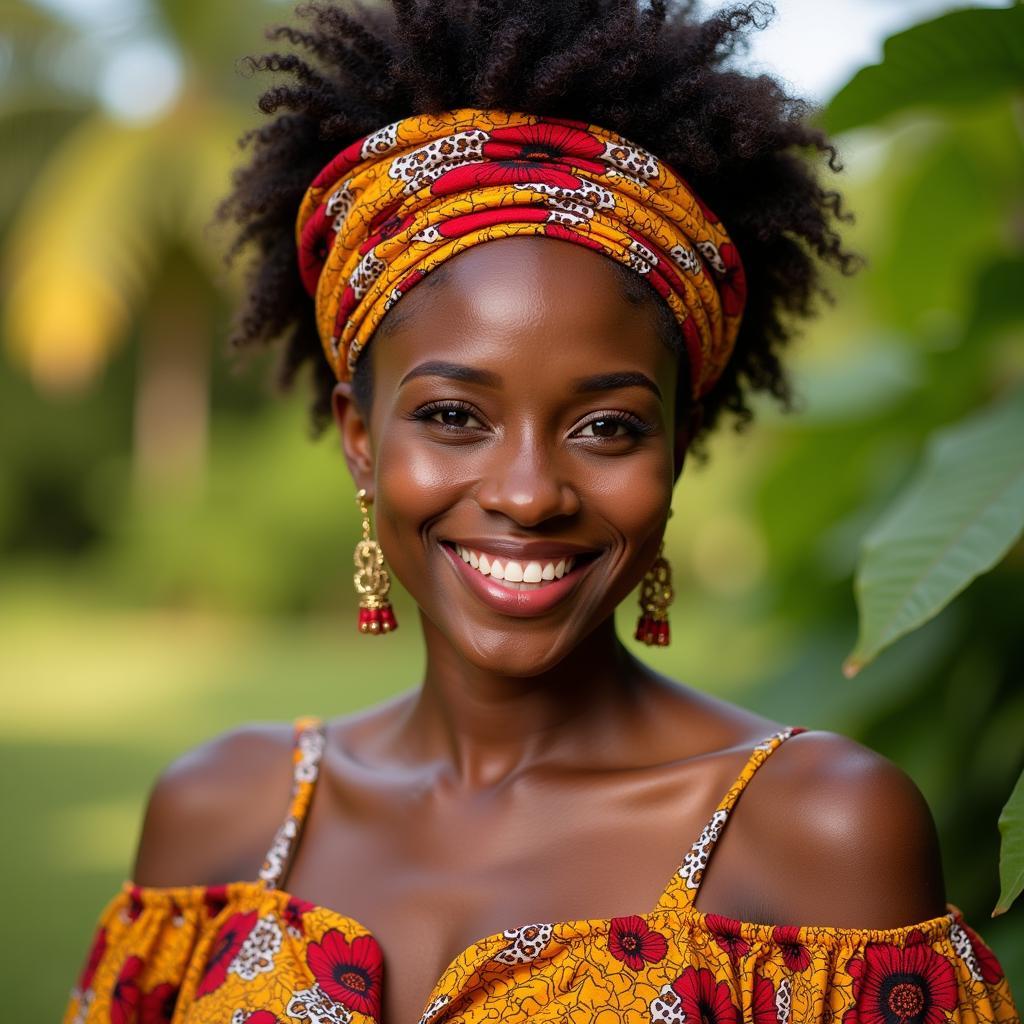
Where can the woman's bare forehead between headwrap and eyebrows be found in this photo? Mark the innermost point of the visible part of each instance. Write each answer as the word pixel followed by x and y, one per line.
pixel 530 303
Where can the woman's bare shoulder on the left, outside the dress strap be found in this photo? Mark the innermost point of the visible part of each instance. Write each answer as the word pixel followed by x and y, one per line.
pixel 214 812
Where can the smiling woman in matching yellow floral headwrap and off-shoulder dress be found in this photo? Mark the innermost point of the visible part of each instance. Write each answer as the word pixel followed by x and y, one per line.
pixel 516 432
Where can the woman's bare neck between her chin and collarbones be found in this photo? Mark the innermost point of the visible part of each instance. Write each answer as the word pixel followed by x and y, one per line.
pixel 485 727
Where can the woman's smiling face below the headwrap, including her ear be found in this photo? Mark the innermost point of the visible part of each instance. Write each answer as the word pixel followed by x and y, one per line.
pixel 524 414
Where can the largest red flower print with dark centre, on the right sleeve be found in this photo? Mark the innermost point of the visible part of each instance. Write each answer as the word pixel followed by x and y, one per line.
pixel 913 986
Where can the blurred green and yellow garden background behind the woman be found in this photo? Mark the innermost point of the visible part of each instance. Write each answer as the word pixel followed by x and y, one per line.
pixel 177 551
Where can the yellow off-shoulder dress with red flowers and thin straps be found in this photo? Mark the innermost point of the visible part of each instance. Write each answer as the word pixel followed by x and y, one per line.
pixel 251 954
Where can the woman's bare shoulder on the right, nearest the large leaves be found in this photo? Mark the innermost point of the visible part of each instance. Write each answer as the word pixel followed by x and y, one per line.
pixel 845 837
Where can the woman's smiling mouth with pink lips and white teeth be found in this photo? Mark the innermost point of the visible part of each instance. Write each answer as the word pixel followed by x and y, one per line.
pixel 520 586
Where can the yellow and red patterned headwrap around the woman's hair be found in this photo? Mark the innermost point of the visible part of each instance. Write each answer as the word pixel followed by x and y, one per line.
pixel 398 203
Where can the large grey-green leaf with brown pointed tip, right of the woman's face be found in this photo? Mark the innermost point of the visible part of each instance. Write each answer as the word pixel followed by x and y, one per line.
pixel 955 522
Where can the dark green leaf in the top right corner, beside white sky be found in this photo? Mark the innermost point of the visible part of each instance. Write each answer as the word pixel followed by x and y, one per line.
pixel 960 58
